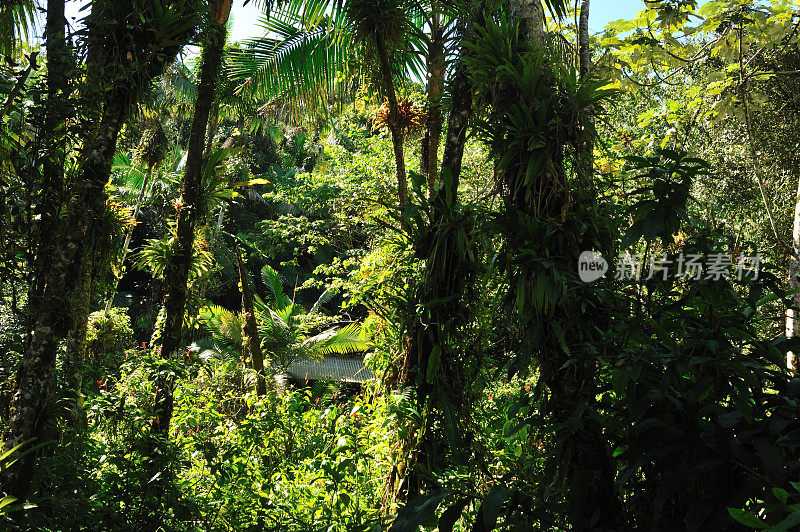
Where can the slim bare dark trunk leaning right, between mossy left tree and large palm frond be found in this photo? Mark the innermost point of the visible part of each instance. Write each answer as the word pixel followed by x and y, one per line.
pixel 176 274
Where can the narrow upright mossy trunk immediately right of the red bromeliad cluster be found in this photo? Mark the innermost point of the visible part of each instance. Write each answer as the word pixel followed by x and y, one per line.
pixel 429 158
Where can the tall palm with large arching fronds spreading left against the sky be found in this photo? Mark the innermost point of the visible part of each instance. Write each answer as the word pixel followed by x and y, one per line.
pixel 310 61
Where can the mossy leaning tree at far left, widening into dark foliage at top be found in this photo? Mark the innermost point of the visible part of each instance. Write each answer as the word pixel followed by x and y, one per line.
pixel 151 35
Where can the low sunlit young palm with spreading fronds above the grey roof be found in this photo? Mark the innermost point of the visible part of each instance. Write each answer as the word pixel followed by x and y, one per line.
pixel 285 329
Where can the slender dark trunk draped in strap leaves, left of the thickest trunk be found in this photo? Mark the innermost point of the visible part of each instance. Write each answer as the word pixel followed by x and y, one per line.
pixel 445 280
